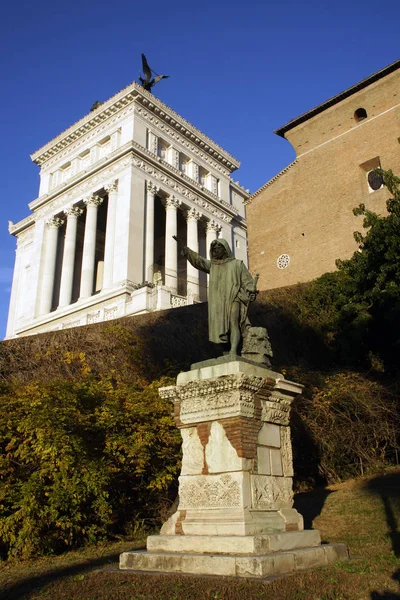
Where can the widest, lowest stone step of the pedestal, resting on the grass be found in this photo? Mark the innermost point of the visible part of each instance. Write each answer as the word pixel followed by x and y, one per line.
pixel 238 565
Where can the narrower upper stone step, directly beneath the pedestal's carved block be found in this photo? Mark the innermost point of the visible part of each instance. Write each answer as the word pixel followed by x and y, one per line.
pixel 234 544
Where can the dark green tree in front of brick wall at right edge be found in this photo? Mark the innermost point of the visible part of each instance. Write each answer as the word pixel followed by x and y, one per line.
pixel 371 280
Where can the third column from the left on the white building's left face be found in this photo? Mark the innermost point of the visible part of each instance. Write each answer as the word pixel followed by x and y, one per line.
pixel 89 246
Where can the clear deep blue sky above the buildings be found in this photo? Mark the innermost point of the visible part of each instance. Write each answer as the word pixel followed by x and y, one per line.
pixel 238 70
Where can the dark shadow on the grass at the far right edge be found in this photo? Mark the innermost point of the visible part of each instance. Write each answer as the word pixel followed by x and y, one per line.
pixel 388 488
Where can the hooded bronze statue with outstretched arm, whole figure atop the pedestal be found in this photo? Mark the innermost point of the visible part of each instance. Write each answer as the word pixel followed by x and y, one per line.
pixel 231 289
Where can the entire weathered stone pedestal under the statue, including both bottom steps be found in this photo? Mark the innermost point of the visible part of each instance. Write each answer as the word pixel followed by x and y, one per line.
pixel 235 514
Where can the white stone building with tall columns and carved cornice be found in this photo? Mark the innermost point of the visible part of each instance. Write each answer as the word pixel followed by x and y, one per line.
pixel 114 188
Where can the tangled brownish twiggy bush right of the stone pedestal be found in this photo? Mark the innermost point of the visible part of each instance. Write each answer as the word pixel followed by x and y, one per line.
pixel 343 424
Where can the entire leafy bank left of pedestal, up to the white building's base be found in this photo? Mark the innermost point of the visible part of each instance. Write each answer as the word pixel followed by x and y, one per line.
pixel 87 447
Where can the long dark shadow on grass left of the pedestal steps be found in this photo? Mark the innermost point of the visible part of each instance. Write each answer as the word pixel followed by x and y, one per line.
pixel 24 587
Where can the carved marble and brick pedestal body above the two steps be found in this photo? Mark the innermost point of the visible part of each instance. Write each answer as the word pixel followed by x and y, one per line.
pixel 237 470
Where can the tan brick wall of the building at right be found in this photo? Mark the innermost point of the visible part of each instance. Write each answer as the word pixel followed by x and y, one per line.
pixel 307 211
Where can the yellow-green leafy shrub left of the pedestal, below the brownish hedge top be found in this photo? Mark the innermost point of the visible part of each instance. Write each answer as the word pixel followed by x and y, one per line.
pixel 80 460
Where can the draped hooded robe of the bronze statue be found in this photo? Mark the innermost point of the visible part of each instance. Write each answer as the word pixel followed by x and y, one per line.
pixel 229 282
